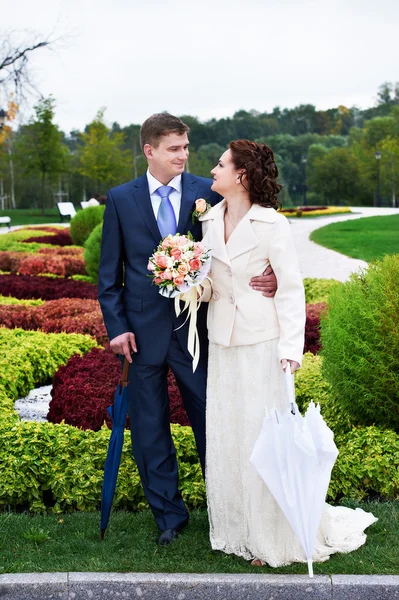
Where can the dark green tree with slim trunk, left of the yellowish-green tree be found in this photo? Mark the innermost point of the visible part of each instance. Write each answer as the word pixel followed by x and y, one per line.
pixel 40 147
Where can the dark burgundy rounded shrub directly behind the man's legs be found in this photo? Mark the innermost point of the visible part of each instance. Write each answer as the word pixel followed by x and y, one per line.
pixel 84 388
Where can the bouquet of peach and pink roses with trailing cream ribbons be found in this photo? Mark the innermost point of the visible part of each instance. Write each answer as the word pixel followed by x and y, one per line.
pixel 178 267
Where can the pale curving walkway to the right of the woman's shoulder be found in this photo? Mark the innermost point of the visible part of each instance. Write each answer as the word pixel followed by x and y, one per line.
pixel 316 261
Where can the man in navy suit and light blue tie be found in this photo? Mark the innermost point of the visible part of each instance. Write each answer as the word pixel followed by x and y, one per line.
pixel 141 321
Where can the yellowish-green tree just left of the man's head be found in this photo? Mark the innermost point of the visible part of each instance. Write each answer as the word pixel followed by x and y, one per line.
pixel 102 157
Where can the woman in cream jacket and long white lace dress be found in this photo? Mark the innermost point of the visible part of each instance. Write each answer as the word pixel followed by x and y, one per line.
pixel 252 339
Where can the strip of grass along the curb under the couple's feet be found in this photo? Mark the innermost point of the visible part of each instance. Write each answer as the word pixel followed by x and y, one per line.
pixel 71 543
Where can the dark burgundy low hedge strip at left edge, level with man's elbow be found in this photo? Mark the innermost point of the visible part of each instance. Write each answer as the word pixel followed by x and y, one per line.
pixel 46 288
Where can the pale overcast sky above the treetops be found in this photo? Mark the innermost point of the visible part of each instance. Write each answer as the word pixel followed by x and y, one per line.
pixel 207 58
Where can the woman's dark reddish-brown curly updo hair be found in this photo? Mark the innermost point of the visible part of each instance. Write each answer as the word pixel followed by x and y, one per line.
pixel 257 162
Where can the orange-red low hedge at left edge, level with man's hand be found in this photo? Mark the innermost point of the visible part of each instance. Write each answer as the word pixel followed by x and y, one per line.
pixel 69 315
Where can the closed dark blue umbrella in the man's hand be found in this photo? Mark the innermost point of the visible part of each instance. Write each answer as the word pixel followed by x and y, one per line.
pixel 118 413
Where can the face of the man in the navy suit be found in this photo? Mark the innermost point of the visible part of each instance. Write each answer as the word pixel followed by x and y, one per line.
pixel 168 159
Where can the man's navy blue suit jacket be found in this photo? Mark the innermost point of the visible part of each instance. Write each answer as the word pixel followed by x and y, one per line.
pixel 129 301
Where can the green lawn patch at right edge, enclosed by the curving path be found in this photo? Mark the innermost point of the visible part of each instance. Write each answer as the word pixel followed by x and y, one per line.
pixel 367 238
